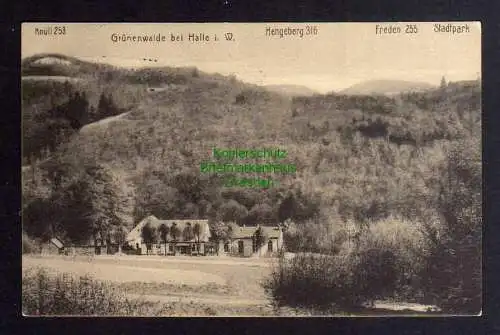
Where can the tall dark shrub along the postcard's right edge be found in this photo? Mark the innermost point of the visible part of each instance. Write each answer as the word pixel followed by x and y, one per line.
pixel 453 273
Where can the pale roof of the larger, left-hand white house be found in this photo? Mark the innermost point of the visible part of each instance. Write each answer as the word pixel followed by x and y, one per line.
pixel 180 223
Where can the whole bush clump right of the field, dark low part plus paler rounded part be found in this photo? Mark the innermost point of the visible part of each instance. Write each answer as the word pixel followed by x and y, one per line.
pixel 384 263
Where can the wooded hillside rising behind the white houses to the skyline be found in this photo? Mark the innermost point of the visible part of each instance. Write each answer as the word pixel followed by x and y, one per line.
pixel 358 158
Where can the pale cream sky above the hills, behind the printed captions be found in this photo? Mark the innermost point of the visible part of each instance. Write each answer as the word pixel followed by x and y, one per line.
pixel 340 55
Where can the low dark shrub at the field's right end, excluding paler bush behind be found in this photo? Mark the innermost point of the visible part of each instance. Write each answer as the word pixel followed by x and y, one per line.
pixel 327 283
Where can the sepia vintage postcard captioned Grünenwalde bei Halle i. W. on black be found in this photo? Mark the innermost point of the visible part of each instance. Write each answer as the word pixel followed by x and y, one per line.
pixel 251 169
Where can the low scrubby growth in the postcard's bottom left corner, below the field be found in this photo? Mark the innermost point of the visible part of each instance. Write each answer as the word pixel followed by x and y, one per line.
pixel 63 294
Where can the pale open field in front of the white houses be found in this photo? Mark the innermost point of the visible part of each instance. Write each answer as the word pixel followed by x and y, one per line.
pixel 195 286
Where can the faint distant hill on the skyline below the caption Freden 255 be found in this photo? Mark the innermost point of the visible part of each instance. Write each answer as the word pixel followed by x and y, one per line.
pixel 386 87
